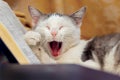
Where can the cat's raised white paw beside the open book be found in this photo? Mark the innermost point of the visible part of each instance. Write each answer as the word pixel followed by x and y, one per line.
pixel 32 38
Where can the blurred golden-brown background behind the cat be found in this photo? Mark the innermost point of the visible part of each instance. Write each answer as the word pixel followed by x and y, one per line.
pixel 102 17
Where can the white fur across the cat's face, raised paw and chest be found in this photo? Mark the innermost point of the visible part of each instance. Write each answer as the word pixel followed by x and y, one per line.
pixel 72 47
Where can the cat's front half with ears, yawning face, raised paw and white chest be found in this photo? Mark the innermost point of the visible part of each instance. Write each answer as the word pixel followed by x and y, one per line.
pixel 55 38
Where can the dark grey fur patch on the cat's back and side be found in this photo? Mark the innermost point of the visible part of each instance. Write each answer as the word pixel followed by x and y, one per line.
pixel 102 46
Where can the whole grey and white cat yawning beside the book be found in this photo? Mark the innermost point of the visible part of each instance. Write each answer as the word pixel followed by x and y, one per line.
pixel 56 39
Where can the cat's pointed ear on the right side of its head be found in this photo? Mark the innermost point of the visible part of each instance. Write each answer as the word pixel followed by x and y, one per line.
pixel 78 16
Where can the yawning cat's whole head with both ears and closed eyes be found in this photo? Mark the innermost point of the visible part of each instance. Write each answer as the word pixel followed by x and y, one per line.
pixel 59 32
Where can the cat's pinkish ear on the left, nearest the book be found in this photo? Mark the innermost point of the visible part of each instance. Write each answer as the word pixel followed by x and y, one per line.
pixel 35 14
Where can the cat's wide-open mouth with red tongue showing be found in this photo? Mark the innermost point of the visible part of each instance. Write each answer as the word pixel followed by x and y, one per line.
pixel 55 48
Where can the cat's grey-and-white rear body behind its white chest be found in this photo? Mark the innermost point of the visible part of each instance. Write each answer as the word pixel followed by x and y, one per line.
pixel 104 50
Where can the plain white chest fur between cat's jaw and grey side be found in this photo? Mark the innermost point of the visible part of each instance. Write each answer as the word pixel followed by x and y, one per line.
pixel 73 55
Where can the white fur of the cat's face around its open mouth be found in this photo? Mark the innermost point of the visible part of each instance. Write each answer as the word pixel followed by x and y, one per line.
pixel 69 34
